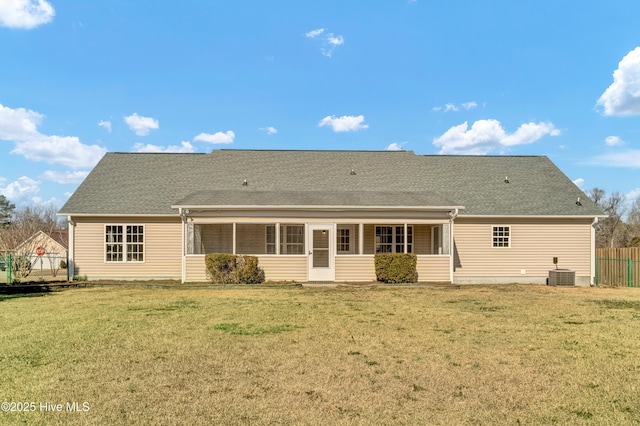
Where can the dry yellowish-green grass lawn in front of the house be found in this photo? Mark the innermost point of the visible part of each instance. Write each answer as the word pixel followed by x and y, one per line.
pixel 255 355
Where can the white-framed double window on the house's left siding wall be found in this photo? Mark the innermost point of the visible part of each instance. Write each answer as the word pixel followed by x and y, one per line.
pixel 124 243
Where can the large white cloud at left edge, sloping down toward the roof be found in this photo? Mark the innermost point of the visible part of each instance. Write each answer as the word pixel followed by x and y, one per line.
pixel 20 126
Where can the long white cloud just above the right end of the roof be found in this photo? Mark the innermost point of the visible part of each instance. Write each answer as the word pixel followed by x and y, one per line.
pixel 485 136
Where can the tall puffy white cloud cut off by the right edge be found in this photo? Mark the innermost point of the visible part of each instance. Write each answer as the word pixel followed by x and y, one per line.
pixel 623 96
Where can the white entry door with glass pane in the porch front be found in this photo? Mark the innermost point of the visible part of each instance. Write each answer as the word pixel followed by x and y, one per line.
pixel 321 249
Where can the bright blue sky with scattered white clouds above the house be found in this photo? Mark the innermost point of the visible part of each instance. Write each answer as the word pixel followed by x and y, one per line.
pixel 81 78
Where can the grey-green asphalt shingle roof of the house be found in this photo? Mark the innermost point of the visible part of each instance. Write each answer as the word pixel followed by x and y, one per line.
pixel 151 183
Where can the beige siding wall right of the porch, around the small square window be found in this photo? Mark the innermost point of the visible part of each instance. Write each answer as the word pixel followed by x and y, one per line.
pixel 533 245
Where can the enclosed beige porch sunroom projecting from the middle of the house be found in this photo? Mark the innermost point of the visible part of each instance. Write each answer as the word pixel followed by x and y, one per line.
pixel 321 249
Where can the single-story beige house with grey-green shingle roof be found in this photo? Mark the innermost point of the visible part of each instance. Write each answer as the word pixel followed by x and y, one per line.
pixel 321 216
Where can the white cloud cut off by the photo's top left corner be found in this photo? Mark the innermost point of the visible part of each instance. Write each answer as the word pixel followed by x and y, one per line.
pixel 25 14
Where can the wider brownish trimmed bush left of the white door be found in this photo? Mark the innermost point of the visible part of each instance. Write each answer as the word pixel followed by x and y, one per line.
pixel 233 269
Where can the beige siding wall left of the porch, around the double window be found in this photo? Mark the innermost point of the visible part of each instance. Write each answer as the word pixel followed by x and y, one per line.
pixel 162 249
